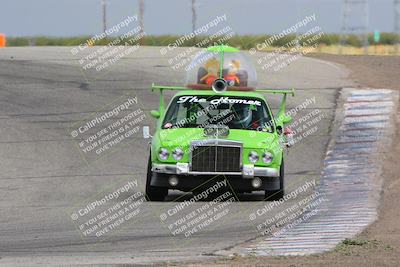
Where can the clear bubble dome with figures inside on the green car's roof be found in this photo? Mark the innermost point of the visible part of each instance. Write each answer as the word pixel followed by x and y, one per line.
pixel 221 62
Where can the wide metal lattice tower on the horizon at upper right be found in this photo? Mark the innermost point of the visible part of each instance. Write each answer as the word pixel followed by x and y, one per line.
pixel 355 20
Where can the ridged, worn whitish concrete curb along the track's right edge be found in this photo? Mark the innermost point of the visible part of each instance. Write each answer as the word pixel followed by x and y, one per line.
pixel 350 181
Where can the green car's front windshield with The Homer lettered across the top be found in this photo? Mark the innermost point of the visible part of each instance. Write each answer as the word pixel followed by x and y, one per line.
pixel 236 112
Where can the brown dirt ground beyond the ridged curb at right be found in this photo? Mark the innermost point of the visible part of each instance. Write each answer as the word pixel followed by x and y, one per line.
pixel 379 244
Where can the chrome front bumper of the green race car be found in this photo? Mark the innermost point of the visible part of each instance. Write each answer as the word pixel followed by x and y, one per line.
pixel 249 171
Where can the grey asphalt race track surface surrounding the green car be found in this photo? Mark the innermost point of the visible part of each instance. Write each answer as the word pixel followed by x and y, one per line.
pixel 43 178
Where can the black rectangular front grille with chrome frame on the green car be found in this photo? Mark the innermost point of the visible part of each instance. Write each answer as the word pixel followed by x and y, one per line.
pixel 216 158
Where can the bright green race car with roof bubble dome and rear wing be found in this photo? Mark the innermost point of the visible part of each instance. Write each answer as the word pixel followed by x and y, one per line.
pixel 218 126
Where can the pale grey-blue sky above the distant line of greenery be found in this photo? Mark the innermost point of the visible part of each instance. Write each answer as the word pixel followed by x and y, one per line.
pixel 84 17
